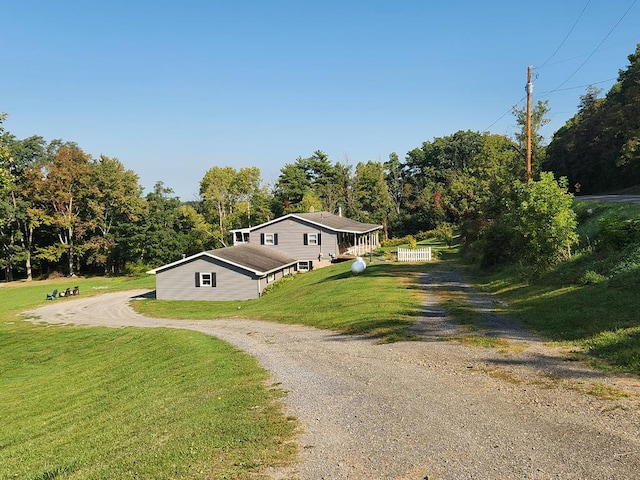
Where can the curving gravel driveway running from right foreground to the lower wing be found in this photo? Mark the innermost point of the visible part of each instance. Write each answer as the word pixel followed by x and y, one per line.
pixel 424 410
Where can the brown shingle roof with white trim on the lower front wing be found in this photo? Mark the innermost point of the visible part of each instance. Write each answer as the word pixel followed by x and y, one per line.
pixel 254 258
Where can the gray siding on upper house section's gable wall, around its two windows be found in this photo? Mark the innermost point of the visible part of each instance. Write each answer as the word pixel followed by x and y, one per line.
pixel 291 233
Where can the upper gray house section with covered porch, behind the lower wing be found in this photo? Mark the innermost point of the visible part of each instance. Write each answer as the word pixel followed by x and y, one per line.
pixel 314 239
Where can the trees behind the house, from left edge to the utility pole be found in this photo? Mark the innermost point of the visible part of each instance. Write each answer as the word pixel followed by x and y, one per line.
pixel 66 212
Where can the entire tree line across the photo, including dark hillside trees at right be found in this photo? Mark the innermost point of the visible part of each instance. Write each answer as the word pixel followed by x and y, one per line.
pixel 63 211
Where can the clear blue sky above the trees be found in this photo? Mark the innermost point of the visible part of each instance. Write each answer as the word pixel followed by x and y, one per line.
pixel 175 88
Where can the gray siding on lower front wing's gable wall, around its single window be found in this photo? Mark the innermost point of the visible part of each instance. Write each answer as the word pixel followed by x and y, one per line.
pixel 232 283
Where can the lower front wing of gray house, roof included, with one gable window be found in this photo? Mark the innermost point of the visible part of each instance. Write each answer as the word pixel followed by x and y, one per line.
pixel 234 273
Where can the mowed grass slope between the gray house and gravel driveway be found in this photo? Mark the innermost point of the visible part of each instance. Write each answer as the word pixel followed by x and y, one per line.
pixel 381 303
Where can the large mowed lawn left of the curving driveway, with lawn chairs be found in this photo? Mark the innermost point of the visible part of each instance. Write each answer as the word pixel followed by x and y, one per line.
pixel 97 403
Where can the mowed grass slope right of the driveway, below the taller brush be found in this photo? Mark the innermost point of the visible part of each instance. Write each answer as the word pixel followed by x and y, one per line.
pixel 601 319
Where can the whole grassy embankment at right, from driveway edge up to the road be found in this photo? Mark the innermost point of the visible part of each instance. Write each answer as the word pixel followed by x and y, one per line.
pixel 591 301
